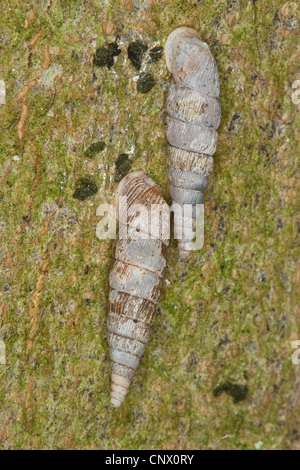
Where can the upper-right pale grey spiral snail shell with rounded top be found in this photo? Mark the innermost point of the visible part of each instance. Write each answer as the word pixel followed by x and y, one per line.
pixel 193 116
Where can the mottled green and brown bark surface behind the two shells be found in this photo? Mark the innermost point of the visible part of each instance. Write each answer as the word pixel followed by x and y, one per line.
pixel 218 372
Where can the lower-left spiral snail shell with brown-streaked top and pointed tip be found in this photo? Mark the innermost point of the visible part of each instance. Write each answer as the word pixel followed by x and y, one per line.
pixel 135 278
